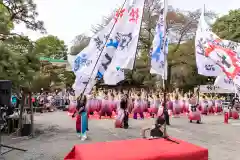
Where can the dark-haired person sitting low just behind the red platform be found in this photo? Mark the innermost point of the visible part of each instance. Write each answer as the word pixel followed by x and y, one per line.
pixel 157 130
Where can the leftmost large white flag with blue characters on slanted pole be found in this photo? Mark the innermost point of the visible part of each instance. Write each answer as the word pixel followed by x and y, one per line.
pixel 88 62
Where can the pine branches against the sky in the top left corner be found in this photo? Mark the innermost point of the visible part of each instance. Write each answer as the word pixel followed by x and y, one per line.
pixel 22 11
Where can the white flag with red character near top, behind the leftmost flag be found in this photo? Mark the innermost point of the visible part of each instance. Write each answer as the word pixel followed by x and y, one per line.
pixel 127 36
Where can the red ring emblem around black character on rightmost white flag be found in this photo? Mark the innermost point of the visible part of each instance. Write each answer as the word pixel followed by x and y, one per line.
pixel 225 58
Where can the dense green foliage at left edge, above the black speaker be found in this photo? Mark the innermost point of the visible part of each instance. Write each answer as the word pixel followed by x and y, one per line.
pixel 18 62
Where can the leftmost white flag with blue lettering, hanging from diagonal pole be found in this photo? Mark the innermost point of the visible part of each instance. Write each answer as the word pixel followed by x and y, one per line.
pixel 95 58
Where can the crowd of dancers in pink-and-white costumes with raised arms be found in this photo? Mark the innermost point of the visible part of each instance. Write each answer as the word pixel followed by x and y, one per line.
pixel 140 103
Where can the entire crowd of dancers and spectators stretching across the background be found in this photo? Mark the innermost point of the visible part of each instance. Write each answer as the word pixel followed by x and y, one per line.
pixel 120 104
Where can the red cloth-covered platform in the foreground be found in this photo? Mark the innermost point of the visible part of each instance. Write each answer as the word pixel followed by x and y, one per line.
pixel 138 149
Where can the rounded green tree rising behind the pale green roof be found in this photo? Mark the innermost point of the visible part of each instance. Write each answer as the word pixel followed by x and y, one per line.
pixel 51 47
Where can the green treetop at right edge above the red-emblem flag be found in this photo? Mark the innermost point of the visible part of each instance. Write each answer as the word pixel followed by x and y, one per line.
pixel 228 26
